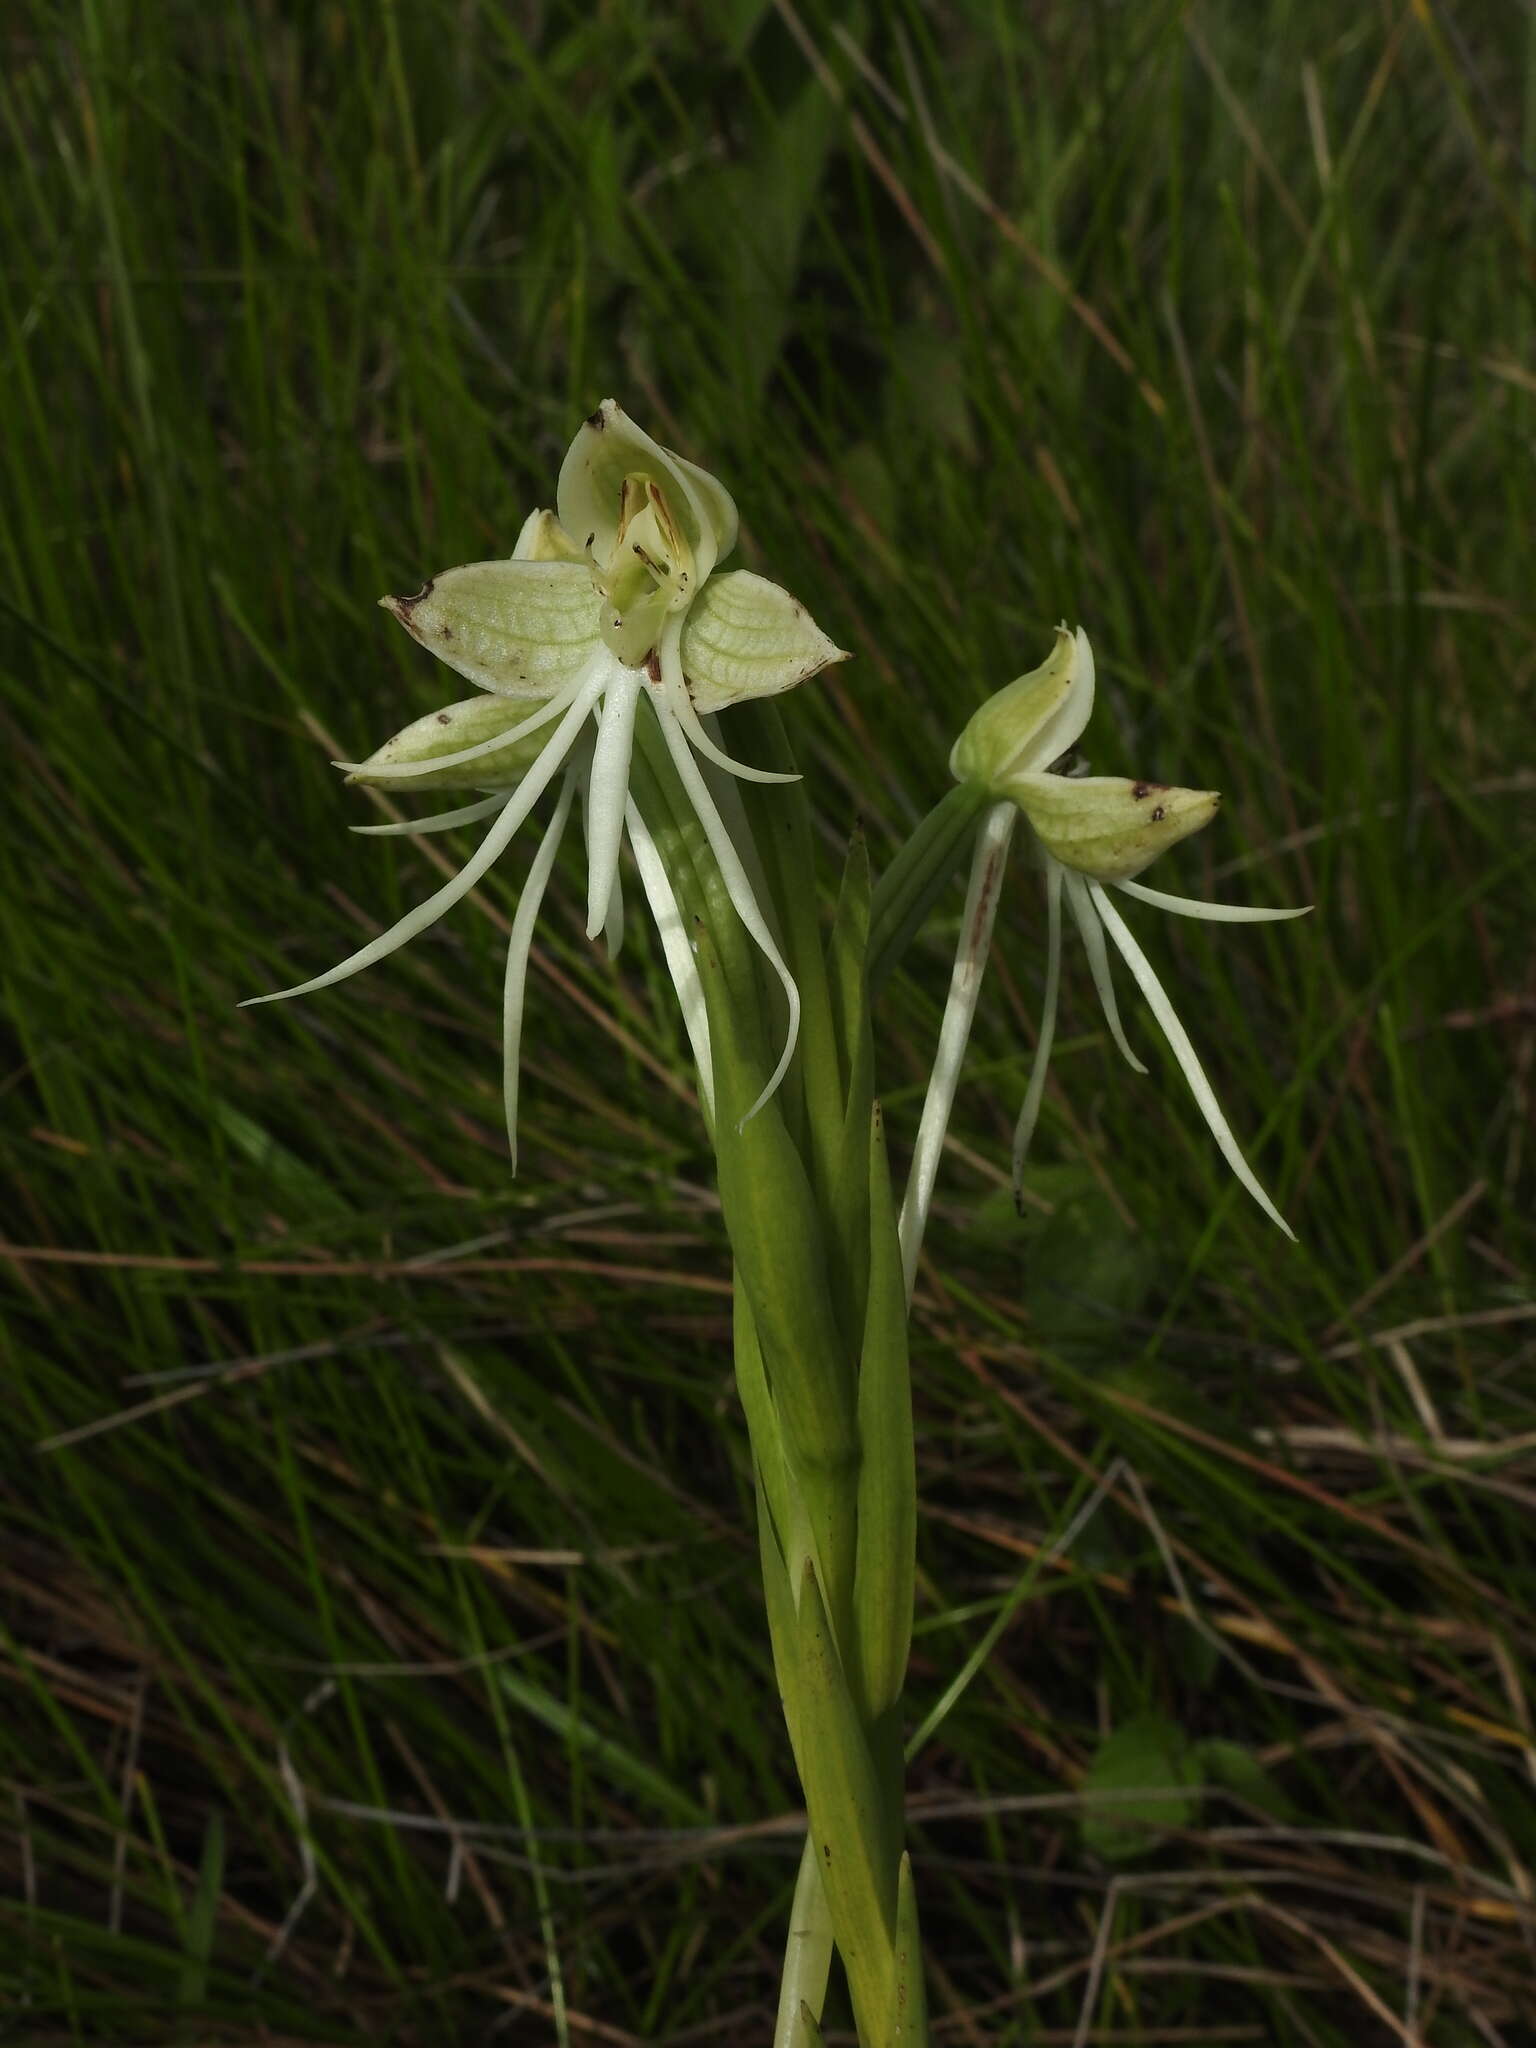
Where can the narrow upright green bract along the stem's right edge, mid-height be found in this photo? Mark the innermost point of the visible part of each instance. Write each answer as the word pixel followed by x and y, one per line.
pixel 888 1480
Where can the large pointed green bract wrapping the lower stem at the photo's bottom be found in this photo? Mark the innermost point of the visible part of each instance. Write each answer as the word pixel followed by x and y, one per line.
pixel 843 1797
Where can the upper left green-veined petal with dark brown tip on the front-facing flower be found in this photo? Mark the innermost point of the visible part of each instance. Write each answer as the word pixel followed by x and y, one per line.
pixel 513 628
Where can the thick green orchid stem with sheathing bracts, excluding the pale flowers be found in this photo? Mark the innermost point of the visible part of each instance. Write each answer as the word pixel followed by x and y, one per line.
pixel 820 1355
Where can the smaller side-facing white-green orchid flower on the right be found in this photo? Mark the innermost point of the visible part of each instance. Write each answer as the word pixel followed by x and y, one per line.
pixel 1093 835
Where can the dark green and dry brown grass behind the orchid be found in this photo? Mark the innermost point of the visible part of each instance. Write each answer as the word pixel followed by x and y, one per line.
pixel 382 1631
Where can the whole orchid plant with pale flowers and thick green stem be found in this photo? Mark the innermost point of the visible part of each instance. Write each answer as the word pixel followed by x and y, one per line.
pixel 605 652
